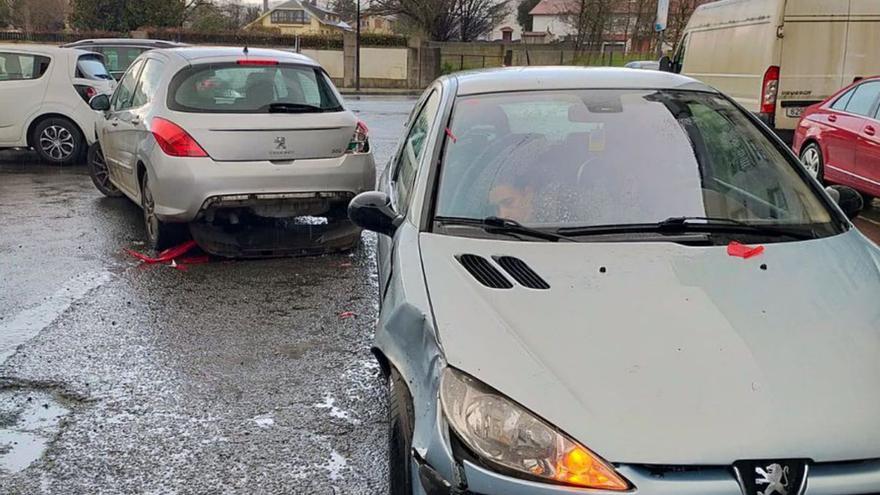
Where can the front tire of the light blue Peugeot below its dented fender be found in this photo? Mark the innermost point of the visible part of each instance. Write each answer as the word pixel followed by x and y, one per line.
pixel 400 432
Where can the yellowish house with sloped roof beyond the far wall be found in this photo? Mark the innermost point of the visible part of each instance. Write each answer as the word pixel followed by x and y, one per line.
pixel 300 17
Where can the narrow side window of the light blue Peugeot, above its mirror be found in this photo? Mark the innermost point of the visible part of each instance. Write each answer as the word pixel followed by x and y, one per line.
pixel 412 151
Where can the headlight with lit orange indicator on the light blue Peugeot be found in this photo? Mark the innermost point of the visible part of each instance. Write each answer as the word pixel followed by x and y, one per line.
pixel 503 432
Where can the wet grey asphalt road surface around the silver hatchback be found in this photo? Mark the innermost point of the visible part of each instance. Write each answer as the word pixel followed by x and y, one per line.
pixel 230 377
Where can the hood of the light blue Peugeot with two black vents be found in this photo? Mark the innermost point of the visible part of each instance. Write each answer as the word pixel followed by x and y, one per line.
pixel 659 353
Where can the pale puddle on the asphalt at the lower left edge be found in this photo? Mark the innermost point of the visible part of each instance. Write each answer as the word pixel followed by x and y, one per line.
pixel 29 420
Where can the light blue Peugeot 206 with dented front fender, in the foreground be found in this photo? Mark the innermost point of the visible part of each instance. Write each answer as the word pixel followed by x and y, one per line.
pixel 598 281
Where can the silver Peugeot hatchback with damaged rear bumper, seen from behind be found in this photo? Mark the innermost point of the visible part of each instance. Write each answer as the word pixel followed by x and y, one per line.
pixel 225 138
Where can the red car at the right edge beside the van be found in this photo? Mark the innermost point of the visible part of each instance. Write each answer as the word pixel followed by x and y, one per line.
pixel 838 140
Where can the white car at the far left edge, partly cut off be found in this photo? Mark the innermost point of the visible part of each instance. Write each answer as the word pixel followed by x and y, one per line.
pixel 44 95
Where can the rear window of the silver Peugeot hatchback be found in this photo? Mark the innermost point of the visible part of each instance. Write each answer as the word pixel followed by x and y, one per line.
pixel 239 88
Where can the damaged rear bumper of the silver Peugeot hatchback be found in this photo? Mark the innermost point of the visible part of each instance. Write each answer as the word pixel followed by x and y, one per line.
pixel 184 187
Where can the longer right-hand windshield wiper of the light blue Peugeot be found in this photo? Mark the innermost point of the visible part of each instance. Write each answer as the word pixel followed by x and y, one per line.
pixel 677 225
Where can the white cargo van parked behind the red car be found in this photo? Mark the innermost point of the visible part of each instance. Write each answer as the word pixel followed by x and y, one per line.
pixel 777 57
